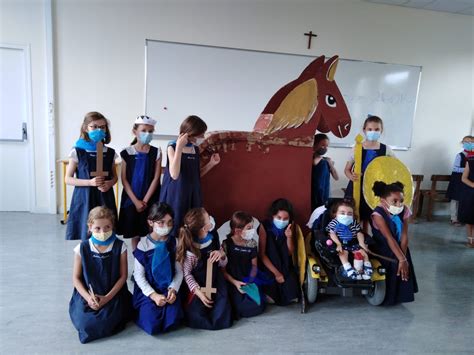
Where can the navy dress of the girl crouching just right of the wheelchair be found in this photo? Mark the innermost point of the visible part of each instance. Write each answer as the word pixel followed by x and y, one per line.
pixel 397 290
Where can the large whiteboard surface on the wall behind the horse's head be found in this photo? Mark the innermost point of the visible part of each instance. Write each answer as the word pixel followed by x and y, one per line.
pixel 229 88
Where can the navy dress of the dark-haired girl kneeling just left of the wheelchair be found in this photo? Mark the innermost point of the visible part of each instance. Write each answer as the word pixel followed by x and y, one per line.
pixel 277 251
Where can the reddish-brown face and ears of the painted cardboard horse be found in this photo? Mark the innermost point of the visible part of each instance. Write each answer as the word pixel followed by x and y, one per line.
pixel 331 113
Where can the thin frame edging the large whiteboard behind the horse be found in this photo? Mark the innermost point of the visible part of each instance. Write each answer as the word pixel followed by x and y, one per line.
pixel 335 145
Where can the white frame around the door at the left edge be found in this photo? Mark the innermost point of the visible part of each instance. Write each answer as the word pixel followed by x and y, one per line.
pixel 29 121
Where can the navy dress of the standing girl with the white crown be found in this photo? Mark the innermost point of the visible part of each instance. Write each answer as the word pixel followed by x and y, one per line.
pixel 140 173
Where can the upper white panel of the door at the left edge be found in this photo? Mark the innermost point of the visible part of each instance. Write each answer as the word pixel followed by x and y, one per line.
pixel 13 93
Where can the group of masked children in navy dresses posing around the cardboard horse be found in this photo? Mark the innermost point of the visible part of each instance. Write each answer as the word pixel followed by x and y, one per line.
pixel 174 238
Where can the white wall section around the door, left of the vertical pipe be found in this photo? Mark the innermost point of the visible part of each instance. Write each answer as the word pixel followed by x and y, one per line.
pixel 23 22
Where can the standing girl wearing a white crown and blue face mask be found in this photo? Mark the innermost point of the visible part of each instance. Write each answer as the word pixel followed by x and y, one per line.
pixel 141 172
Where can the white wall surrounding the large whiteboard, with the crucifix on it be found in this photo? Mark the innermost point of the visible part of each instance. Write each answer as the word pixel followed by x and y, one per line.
pixel 100 58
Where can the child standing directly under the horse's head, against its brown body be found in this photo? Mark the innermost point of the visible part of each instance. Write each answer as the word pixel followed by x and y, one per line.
pixel 323 168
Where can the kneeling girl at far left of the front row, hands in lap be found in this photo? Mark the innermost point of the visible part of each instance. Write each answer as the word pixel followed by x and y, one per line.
pixel 100 305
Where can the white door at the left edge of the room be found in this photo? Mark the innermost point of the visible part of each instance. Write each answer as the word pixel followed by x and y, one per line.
pixel 15 115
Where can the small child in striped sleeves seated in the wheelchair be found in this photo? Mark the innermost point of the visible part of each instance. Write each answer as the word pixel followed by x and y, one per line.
pixel 346 233
